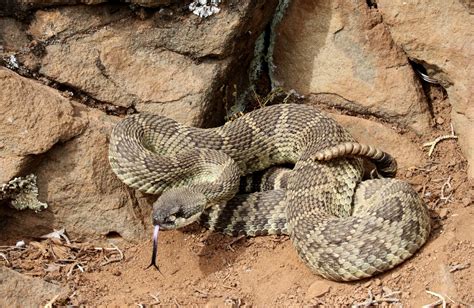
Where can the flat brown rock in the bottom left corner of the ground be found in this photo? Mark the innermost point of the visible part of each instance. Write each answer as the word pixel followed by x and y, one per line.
pixel 17 290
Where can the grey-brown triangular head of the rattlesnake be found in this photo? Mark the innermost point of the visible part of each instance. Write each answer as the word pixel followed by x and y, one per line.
pixel 178 207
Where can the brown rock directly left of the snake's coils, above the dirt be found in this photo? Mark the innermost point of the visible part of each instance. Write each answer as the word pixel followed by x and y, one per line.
pixel 84 195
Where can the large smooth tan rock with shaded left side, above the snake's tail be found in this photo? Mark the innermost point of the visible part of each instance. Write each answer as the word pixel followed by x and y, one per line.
pixel 342 53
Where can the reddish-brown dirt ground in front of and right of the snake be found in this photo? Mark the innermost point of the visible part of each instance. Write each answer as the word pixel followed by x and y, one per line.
pixel 204 268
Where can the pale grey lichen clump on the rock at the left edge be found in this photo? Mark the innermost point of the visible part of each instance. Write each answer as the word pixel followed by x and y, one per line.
pixel 23 193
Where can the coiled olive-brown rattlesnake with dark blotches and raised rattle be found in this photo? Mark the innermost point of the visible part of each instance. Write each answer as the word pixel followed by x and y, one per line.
pixel 343 228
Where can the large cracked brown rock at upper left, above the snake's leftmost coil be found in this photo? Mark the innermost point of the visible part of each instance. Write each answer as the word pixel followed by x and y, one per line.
pixel 166 66
